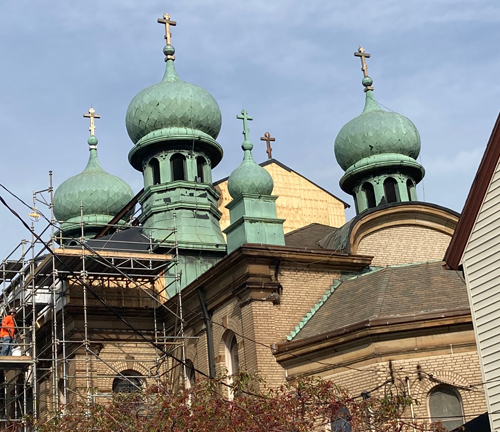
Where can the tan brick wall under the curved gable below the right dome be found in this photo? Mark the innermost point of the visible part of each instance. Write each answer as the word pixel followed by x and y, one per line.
pixel 404 245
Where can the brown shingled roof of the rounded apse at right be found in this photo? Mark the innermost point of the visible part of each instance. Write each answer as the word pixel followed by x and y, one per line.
pixel 409 290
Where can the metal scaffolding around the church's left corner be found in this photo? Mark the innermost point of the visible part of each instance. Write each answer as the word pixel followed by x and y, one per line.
pixel 90 317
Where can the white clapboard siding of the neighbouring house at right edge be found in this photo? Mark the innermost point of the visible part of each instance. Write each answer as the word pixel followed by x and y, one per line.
pixel 481 262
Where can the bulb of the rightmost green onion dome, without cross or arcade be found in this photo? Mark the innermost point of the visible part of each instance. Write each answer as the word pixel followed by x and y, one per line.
pixel 375 132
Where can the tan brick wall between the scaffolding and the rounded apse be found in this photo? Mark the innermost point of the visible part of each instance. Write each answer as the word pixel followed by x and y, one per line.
pixel 259 324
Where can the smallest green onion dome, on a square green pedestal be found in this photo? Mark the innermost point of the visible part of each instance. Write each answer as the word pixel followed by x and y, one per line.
pixel 249 178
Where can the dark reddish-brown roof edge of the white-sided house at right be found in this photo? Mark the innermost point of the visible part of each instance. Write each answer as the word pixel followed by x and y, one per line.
pixel 475 198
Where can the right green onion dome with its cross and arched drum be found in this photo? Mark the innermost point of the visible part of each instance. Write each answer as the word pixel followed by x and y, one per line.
pixel 378 151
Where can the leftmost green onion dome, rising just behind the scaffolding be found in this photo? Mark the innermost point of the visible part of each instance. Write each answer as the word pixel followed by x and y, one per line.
pixel 102 195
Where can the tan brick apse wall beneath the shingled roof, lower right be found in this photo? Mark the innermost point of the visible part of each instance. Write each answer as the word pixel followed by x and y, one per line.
pixel 459 369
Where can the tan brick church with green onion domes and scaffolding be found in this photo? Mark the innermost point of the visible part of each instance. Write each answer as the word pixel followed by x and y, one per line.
pixel 193 277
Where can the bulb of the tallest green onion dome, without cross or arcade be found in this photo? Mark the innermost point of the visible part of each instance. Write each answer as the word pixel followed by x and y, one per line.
pixel 175 104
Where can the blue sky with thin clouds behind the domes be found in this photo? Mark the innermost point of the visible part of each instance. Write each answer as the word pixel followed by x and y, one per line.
pixel 289 63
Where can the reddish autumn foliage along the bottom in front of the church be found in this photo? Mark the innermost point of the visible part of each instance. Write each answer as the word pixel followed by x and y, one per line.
pixel 301 405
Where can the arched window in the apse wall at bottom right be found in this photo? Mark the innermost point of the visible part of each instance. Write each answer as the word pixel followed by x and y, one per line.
pixel 445 405
